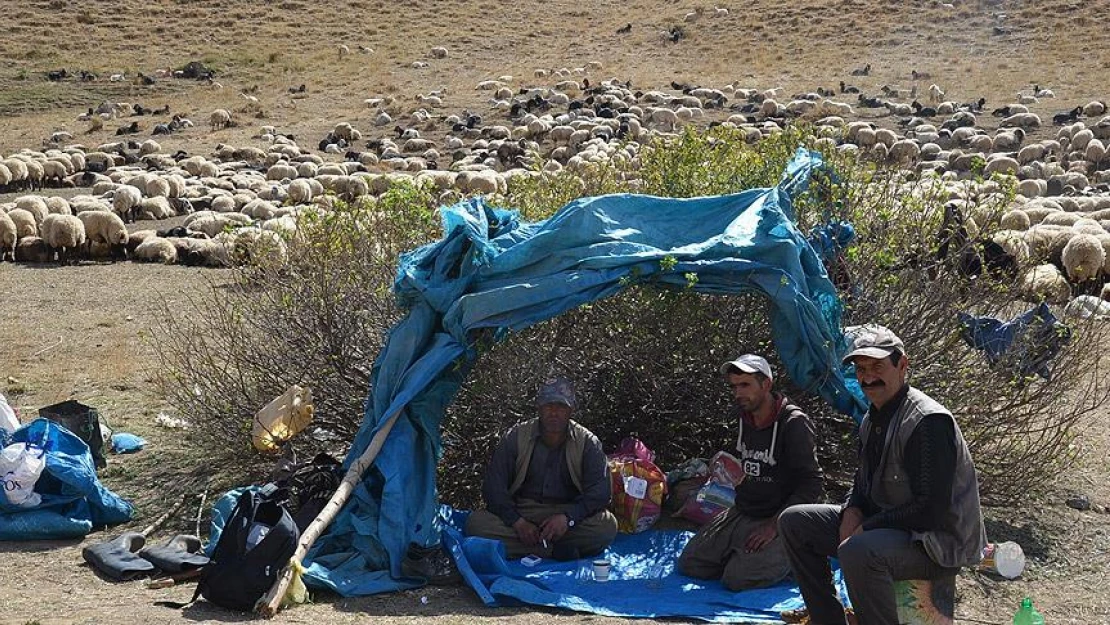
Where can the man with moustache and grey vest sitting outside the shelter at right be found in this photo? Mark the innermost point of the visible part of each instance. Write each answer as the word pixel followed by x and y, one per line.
pixel 914 509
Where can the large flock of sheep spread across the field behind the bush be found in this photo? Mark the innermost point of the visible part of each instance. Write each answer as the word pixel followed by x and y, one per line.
pixel 245 203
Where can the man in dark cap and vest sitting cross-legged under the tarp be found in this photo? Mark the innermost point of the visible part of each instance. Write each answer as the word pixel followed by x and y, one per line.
pixel 548 487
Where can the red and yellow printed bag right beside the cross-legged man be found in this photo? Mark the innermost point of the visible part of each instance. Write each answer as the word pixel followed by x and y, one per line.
pixel 639 487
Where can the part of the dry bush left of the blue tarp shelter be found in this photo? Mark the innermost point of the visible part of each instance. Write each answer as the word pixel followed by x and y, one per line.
pixel 317 321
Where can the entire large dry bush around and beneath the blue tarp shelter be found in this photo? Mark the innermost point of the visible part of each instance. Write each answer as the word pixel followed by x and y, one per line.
pixel 645 361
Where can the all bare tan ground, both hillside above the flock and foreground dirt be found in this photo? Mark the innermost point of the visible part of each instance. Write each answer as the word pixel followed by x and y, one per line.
pixel 85 332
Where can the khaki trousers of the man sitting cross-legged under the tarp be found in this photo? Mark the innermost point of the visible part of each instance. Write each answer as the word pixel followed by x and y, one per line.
pixel 589 537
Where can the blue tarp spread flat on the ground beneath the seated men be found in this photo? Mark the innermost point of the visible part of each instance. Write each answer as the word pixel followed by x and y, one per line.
pixel 643 584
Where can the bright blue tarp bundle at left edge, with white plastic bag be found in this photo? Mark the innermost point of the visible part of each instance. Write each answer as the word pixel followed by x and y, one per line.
pixel 74 501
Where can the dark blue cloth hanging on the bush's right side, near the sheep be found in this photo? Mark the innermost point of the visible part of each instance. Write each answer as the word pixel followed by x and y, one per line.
pixel 1025 346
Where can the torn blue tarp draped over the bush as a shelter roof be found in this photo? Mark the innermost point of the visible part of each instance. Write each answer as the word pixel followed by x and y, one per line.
pixel 491 271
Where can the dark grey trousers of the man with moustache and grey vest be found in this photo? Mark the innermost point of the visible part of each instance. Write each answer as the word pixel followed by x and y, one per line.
pixel 871 561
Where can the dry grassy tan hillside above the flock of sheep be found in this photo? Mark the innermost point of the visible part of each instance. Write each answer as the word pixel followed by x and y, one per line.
pixel 976 48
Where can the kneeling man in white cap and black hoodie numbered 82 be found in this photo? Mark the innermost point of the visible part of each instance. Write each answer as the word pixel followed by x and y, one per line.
pixel 742 548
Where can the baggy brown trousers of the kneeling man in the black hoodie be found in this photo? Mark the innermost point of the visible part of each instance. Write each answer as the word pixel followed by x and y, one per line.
pixel 718 552
